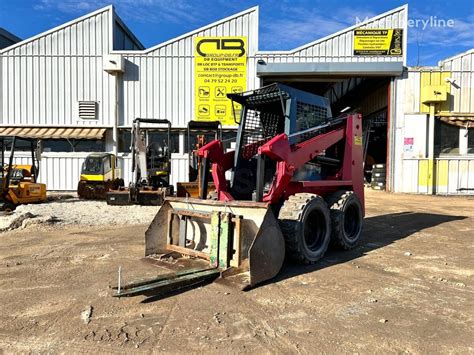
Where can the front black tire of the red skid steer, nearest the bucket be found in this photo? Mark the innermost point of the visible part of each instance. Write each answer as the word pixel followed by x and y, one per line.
pixel 299 217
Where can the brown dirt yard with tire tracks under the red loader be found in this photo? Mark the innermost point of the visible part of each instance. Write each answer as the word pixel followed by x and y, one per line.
pixel 407 288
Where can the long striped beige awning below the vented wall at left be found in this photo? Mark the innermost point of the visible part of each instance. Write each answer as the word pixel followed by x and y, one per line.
pixel 53 132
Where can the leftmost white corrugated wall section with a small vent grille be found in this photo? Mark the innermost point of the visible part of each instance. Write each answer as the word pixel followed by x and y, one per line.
pixel 43 78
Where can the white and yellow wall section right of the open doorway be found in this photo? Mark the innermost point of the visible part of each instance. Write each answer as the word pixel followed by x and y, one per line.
pixel 452 173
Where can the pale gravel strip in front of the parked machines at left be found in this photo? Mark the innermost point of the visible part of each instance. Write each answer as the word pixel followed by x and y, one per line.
pixel 75 212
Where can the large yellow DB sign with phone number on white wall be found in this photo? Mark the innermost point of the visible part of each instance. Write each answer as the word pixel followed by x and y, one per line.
pixel 220 68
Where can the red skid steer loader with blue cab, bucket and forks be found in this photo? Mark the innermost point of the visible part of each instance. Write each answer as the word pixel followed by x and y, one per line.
pixel 296 187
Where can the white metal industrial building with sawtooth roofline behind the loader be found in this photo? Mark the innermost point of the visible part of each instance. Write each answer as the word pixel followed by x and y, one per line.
pixel 50 80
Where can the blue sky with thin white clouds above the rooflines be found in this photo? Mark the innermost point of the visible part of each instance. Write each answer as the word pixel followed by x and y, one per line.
pixel 437 29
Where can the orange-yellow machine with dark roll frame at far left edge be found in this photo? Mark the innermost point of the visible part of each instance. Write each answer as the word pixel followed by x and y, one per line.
pixel 19 181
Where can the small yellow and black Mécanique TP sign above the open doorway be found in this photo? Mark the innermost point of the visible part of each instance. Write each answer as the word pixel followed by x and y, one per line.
pixel 378 42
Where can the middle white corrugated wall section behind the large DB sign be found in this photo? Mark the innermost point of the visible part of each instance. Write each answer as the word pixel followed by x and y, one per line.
pixel 159 82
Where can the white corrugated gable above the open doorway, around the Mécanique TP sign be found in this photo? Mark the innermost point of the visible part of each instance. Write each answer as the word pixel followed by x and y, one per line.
pixel 339 47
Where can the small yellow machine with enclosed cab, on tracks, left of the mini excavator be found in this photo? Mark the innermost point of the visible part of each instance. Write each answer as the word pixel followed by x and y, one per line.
pixel 99 174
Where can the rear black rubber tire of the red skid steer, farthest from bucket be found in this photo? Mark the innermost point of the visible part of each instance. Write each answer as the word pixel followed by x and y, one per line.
pixel 347 219
